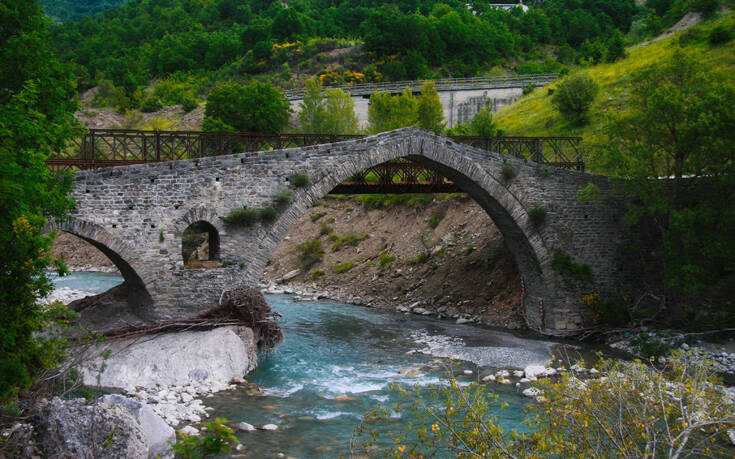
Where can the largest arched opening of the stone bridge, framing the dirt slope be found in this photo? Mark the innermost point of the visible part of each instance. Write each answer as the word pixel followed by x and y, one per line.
pixel 409 233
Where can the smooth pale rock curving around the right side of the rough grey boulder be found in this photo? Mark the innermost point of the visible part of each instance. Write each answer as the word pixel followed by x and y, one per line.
pixel 157 433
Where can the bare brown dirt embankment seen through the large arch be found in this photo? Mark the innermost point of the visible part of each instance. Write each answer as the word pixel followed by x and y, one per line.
pixel 450 259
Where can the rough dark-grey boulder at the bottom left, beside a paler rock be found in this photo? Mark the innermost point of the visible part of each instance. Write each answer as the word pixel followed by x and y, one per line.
pixel 70 428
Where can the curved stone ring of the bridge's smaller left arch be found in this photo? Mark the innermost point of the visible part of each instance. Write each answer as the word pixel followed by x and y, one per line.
pixel 119 252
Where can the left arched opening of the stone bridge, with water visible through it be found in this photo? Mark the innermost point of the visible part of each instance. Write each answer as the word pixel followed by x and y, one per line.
pixel 102 282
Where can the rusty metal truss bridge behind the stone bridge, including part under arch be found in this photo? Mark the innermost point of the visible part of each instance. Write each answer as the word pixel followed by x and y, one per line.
pixel 120 147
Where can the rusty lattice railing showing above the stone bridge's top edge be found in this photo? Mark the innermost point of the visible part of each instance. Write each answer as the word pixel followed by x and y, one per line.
pixel 119 147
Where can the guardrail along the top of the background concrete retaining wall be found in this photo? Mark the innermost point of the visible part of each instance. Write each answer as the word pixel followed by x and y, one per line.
pixel 441 84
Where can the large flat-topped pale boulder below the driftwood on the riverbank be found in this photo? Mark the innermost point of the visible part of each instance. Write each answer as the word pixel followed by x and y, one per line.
pixel 172 359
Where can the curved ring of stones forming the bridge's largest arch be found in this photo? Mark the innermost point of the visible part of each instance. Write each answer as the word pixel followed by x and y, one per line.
pixel 505 209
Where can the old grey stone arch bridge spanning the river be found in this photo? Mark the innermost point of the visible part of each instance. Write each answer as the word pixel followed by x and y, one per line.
pixel 137 214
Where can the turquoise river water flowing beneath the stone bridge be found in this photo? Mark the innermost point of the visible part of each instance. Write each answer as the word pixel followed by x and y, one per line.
pixel 337 361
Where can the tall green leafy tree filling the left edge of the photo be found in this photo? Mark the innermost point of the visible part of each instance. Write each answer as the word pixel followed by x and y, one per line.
pixel 37 96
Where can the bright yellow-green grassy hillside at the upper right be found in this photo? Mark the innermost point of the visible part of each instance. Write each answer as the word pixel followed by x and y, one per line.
pixel 534 115
